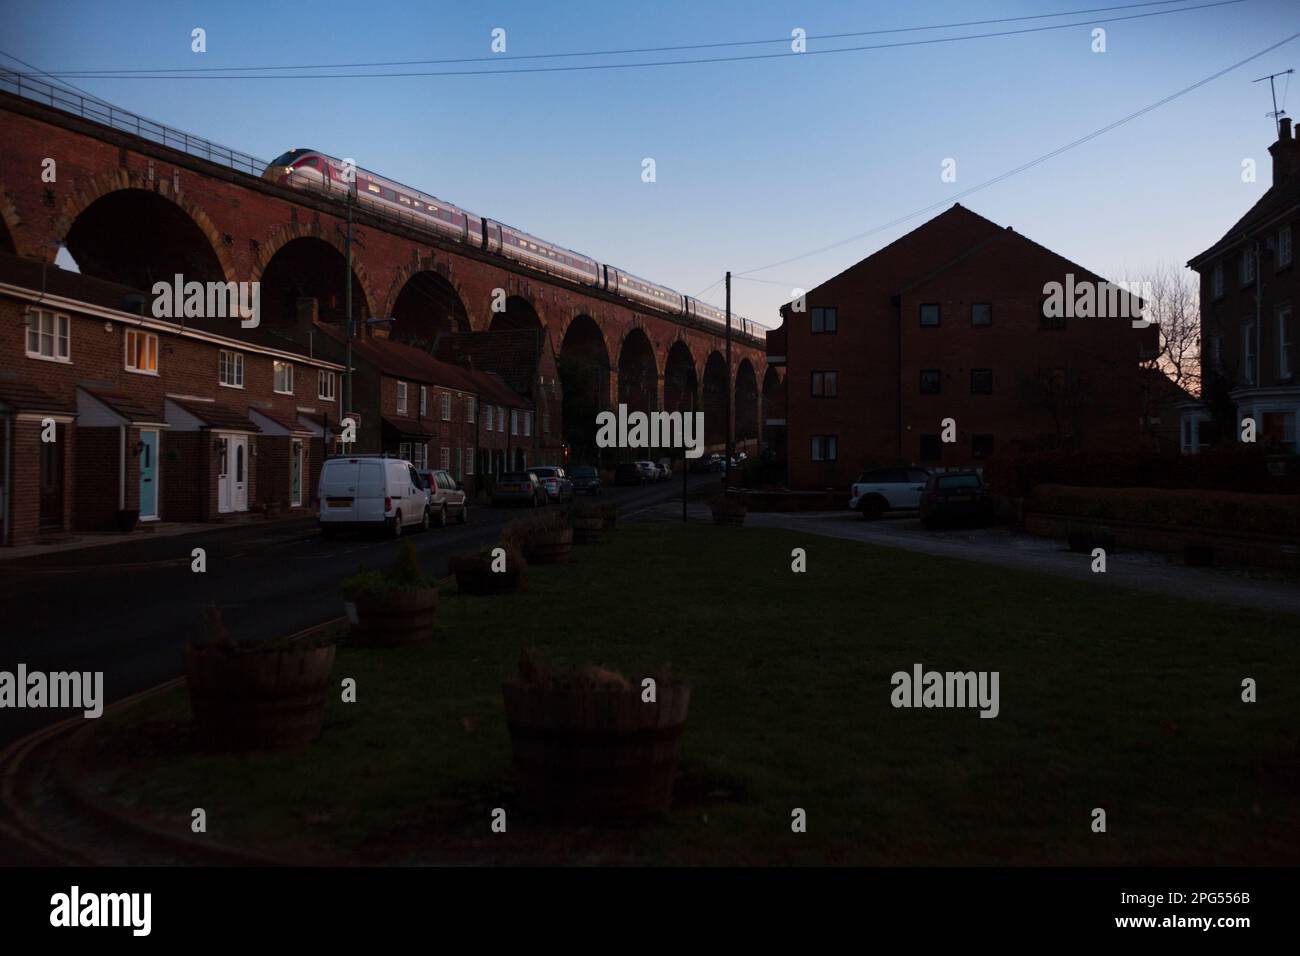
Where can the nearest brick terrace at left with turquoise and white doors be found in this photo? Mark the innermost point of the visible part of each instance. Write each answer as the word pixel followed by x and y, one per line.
pixel 189 419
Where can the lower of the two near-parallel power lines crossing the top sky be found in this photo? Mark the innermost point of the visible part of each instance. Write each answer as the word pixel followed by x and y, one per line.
pixel 162 75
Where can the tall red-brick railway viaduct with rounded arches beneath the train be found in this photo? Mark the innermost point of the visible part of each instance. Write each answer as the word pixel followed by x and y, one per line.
pixel 136 202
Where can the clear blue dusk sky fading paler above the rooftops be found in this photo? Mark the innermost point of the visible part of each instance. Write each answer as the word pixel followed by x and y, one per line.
pixel 756 162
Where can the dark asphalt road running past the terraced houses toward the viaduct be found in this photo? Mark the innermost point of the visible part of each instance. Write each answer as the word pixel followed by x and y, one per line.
pixel 129 611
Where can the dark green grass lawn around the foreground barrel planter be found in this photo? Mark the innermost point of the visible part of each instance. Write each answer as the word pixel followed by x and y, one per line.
pixel 1110 698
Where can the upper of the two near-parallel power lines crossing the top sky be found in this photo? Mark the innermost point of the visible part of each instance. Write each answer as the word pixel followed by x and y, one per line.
pixel 621 53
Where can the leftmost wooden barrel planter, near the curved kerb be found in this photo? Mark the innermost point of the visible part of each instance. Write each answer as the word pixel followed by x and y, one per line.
pixel 261 700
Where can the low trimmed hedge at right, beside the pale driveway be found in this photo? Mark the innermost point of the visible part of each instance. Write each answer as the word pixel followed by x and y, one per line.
pixel 1211 511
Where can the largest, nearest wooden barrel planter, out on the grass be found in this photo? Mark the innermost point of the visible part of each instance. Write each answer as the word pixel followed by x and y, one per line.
pixel 596 755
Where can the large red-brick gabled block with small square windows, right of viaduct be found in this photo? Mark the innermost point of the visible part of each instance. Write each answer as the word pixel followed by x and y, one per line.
pixel 954 321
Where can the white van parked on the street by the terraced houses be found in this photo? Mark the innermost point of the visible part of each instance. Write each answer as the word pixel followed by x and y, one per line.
pixel 372 492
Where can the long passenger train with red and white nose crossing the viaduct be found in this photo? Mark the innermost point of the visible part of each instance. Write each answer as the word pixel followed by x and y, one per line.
pixel 311 170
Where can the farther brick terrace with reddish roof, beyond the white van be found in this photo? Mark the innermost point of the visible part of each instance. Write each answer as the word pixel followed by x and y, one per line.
pixel 434 413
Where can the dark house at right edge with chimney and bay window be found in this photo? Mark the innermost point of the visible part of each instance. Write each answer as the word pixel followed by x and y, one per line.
pixel 1250 362
